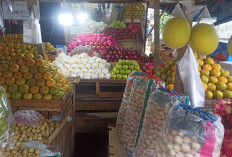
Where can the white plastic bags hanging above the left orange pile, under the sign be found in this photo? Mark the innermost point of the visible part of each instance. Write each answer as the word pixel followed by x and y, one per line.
pixel 32 31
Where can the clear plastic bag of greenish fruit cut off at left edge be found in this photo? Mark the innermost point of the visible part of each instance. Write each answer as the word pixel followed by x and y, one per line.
pixel 6 121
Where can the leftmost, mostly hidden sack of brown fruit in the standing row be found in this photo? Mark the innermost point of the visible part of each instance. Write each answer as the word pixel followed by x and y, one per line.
pixel 124 104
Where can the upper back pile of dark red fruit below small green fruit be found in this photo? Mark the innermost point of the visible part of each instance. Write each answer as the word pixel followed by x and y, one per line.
pixel 119 33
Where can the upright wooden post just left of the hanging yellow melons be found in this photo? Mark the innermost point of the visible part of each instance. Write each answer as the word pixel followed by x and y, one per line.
pixel 157 34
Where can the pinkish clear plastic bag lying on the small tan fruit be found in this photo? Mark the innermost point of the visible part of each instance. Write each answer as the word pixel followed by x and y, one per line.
pixel 27 117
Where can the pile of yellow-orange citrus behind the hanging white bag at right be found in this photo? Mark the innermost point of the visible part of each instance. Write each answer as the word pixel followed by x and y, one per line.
pixel 217 81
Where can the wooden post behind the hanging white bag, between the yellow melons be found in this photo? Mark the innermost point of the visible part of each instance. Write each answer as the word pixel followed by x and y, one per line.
pixel 178 83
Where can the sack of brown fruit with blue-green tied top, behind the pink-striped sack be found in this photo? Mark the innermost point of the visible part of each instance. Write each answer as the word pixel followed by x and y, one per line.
pixel 159 103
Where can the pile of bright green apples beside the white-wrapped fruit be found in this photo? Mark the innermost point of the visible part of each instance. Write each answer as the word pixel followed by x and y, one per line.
pixel 124 68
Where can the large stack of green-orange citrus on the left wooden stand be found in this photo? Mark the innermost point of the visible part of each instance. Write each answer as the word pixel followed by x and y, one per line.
pixel 30 77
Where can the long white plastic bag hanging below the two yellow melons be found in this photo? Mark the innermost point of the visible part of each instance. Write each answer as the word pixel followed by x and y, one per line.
pixel 188 70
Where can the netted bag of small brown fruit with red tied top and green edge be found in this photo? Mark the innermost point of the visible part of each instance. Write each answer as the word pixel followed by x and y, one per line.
pixel 139 96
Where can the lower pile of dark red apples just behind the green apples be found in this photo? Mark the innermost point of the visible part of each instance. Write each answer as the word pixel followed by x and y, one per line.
pixel 113 54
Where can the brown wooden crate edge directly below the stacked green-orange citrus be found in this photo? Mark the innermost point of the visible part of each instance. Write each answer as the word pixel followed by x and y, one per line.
pixel 47 108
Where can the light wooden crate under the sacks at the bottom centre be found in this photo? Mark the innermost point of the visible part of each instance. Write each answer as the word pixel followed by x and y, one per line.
pixel 115 148
